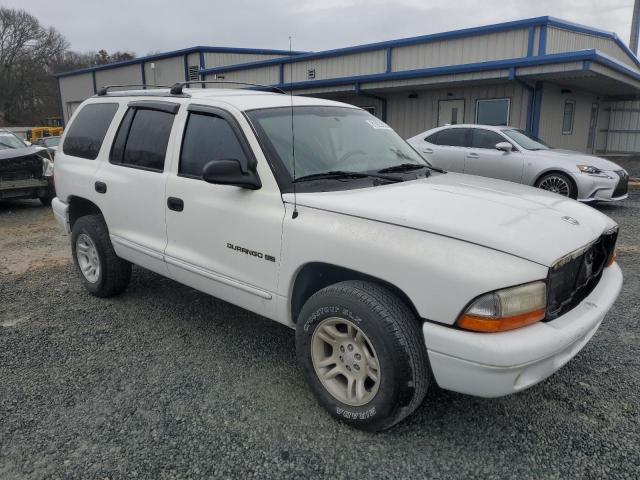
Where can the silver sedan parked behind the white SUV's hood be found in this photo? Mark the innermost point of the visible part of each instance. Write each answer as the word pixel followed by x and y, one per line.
pixel 508 153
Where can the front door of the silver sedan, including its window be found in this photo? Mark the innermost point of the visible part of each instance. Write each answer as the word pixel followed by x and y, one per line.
pixel 485 160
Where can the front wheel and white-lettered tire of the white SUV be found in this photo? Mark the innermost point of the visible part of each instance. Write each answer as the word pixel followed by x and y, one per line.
pixel 362 353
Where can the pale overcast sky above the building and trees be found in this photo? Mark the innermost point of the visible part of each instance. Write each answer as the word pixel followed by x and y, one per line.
pixel 147 26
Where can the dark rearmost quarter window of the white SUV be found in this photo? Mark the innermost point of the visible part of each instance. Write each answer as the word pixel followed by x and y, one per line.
pixel 88 129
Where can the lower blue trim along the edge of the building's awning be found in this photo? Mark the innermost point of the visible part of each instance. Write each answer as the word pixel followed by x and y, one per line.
pixel 582 55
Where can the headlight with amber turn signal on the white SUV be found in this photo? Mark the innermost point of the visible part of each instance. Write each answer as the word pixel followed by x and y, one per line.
pixel 506 309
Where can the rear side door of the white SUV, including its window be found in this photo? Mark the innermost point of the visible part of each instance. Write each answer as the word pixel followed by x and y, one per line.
pixel 133 183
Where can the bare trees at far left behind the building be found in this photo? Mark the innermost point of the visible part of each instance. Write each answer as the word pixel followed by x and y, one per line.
pixel 30 55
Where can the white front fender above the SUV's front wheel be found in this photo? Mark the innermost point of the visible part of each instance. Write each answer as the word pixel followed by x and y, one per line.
pixel 439 274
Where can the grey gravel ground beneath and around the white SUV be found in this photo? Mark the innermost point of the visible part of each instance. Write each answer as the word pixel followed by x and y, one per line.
pixel 165 382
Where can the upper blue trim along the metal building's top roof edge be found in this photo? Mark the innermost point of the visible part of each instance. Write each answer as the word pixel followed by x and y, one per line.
pixel 542 22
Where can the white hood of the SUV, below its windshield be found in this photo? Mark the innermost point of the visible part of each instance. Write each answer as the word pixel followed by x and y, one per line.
pixel 513 218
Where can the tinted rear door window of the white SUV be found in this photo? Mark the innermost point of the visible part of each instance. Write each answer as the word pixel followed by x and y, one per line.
pixel 142 139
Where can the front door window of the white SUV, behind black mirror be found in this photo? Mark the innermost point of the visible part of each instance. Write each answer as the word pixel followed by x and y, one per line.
pixel 207 138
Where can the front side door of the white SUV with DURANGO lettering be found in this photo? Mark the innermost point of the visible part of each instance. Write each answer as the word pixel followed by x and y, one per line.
pixel 222 239
